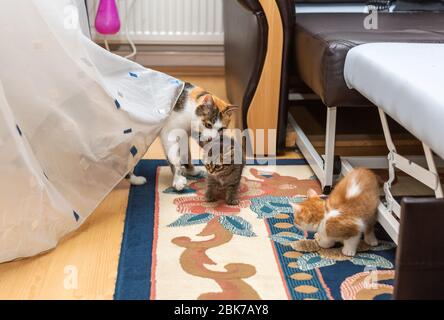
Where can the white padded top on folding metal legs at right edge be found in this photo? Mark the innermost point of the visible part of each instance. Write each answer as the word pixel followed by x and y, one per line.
pixel 407 81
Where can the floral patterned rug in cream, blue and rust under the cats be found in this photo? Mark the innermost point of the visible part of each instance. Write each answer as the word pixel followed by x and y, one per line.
pixel 177 246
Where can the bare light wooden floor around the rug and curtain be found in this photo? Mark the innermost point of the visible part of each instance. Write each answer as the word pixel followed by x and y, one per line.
pixel 92 252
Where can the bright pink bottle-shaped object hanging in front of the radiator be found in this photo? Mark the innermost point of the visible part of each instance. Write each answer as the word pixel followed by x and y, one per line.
pixel 107 17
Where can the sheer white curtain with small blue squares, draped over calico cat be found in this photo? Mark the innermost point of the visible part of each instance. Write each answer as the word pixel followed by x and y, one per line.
pixel 74 119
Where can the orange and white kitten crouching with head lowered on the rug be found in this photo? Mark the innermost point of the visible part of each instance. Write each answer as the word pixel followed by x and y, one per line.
pixel 349 212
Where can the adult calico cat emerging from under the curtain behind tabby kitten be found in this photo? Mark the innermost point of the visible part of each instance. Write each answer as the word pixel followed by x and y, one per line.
pixel 197 113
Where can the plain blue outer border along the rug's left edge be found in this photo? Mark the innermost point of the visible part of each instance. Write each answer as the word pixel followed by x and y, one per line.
pixel 135 261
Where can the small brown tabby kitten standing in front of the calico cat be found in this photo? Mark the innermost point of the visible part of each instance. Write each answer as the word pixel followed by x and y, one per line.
pixel 224 161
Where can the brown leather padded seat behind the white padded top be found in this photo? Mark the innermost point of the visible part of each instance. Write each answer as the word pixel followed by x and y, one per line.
pixel 322 41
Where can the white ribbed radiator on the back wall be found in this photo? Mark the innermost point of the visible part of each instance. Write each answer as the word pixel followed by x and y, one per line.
pixel 167 21
